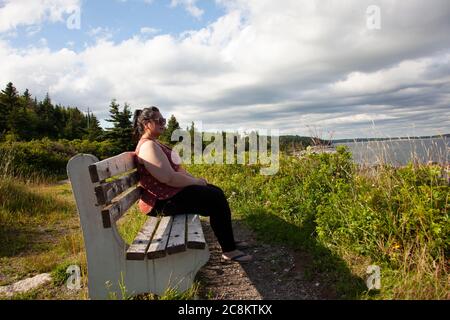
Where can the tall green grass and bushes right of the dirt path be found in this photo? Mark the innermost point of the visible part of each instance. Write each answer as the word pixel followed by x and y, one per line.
pixel 396 218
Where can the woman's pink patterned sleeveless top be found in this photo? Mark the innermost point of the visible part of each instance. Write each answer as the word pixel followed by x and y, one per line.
pixel 153 189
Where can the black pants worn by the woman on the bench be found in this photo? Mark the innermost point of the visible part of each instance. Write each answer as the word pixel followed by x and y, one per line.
pixel 207 201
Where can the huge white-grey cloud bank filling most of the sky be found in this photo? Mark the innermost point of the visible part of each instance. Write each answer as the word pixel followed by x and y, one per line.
pixel 266 65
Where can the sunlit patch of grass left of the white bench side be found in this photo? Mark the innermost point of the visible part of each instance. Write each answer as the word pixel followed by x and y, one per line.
pixel 39 232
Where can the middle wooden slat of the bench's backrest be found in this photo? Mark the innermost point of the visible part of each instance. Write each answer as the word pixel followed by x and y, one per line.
pixel 106 192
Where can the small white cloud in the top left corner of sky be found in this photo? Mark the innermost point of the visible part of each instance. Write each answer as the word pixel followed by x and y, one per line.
pixel 16 13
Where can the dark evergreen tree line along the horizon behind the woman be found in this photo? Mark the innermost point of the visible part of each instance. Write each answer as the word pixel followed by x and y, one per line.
pixel 24 118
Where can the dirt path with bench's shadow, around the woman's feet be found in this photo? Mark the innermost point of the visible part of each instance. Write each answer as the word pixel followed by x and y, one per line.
pixel 276 272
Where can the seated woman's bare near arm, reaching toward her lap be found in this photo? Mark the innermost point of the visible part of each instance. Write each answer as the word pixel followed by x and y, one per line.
pixel 156 162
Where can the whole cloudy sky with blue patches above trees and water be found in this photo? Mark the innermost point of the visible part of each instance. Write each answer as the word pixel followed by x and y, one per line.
pixel 333 68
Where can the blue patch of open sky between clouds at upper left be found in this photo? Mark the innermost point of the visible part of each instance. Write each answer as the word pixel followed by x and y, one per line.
pixel 118 19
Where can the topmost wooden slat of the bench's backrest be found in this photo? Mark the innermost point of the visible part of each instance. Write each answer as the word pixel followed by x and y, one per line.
pixel 112 166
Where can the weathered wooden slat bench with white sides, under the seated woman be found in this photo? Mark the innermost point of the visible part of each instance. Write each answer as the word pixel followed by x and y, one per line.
pixel 166 253
